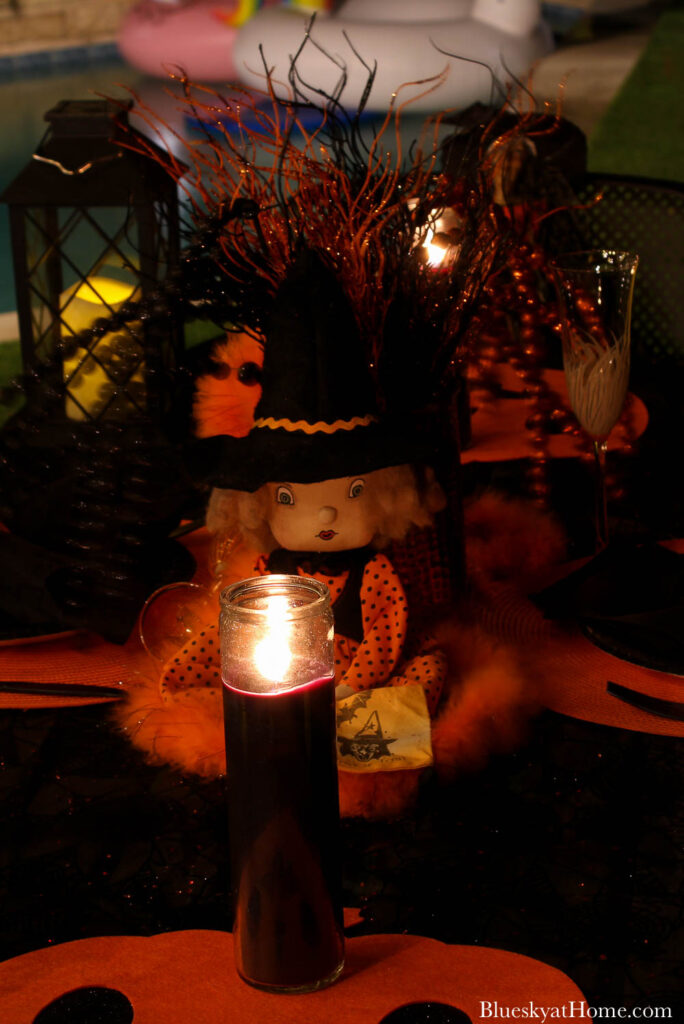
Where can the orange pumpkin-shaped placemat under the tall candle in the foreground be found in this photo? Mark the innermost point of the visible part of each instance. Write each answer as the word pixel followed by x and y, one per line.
pixel 183 977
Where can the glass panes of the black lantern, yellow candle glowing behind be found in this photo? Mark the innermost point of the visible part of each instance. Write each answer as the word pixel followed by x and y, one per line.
pixel 85 265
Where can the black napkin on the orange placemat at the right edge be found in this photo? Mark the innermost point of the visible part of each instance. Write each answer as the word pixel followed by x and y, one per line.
pixel 629 601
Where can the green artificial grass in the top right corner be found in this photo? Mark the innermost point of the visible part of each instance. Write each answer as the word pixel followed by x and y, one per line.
pixel 643 133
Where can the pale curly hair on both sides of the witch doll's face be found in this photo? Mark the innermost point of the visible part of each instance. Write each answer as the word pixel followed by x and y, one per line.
pixel 403 497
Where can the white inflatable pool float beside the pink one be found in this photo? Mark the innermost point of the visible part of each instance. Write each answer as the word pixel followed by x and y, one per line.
pixel 408 41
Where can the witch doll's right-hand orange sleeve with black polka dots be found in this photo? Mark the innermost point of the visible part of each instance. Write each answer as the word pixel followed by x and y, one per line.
pixel 386 616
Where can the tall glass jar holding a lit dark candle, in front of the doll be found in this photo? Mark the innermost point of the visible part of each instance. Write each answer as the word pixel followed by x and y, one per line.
pixel 278 668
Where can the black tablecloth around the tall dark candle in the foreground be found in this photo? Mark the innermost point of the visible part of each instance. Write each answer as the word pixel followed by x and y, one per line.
pixel 569 851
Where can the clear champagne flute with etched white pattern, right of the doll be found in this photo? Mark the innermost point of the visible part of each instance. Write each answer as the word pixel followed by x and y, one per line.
pixel 595 290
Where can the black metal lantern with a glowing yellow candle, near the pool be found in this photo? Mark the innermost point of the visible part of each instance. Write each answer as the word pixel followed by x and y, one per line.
pixel 95 229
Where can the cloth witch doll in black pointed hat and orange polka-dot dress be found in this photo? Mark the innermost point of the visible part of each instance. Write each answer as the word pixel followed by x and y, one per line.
pixel 323 482
